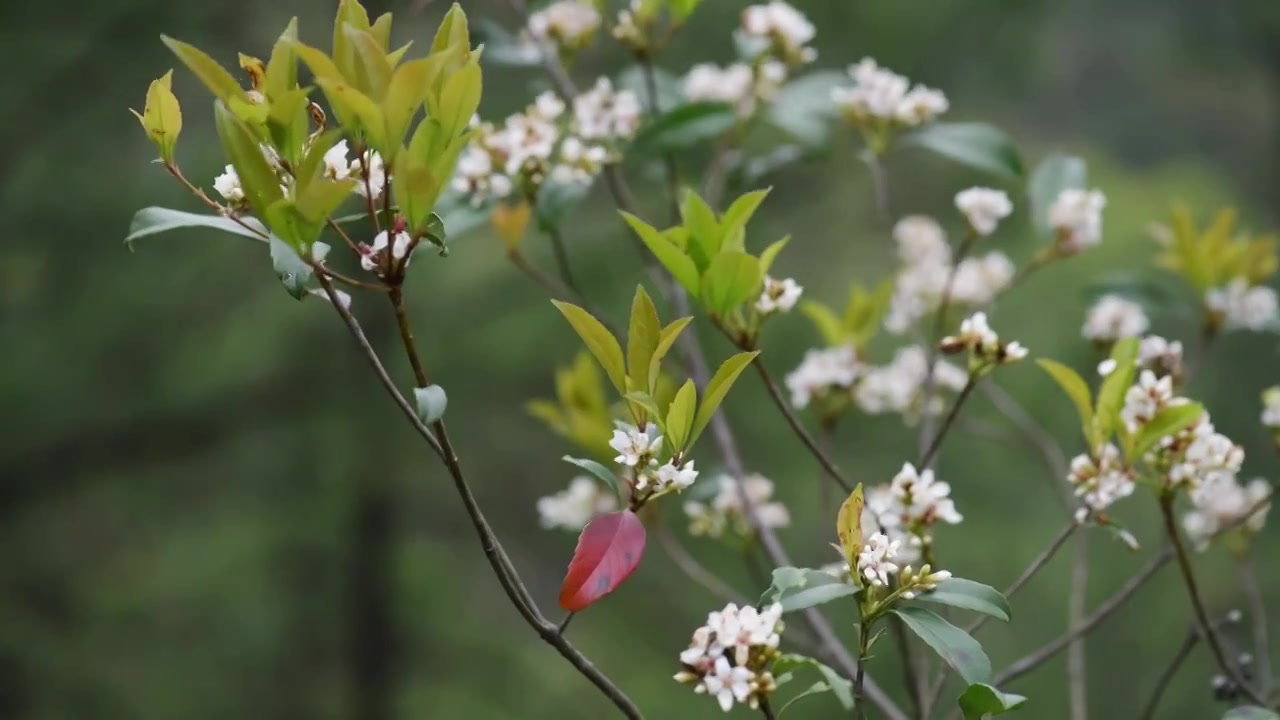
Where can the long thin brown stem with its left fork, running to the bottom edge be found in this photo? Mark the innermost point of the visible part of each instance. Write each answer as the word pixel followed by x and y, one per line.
pixel 493 550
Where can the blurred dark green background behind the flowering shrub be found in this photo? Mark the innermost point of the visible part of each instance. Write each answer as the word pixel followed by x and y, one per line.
pixel 209 509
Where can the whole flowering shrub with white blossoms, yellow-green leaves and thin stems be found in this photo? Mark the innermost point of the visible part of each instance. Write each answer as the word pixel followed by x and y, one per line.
pixel 400 144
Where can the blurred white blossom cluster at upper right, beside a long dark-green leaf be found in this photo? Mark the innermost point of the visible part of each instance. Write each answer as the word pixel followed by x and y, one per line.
pixel 880 95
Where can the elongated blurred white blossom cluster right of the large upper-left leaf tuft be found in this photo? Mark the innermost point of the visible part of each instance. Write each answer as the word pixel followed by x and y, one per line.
pixel 547 143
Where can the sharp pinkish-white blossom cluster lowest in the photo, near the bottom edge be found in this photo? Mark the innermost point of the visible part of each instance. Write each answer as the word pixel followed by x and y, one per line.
pixel 729 658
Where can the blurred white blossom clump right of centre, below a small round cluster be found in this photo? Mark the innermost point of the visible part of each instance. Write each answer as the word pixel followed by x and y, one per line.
pixel 927 267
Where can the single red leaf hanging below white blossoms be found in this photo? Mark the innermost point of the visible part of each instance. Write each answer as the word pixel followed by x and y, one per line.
pixel 609 552
